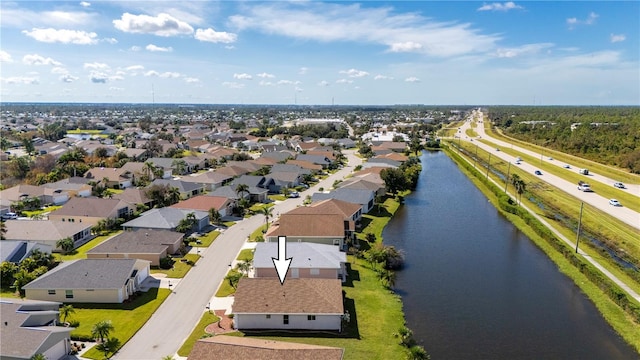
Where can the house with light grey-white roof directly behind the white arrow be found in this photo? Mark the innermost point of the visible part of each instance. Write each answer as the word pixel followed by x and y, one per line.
pixel 308 260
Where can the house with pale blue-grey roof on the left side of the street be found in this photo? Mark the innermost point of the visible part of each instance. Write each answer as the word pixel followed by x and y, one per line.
pixel 166 218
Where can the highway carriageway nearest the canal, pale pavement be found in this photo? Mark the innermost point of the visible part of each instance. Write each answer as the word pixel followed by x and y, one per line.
pixel 624 214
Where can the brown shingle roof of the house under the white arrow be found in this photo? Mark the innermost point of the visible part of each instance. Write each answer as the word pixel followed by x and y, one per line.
pixel 294 296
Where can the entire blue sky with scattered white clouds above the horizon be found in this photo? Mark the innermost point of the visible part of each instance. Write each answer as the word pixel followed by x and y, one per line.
pixel 319 53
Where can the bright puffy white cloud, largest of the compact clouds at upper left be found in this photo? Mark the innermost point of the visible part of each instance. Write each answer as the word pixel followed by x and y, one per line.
pixel 160 25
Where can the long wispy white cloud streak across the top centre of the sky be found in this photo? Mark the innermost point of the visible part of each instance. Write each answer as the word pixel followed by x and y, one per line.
pixel 327 22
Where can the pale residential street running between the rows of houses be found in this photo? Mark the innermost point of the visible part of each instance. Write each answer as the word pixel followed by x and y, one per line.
pixel 174 320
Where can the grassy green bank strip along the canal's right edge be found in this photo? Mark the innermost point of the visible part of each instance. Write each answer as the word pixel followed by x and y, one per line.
pixel 620 310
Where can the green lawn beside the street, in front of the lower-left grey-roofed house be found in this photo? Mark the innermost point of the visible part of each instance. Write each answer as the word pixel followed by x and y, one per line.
pixel 126 318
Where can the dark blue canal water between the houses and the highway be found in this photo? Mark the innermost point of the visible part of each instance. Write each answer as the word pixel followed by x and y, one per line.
pixel 475 287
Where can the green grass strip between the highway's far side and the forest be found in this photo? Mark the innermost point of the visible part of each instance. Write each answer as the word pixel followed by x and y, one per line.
pixel 605 170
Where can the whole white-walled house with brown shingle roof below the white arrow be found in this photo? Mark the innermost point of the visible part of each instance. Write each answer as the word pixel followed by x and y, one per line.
pixel 297 304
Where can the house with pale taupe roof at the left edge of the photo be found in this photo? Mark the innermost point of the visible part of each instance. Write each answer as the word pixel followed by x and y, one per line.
pixel 48 232
